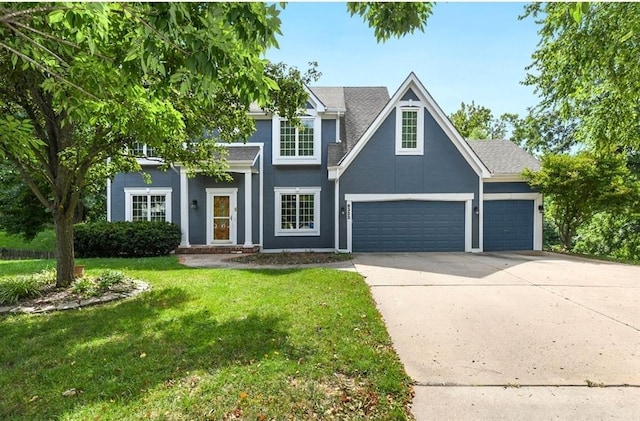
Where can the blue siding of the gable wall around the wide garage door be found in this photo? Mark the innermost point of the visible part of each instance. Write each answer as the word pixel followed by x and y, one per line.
pixel 377 169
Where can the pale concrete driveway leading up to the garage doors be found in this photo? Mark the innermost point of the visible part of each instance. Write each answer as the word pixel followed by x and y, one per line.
pixel 512 336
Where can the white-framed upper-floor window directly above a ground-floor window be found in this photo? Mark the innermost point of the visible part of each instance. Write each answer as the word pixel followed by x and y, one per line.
pixel 296 144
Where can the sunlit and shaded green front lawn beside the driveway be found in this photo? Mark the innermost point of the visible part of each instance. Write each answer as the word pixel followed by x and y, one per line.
pixel 205 344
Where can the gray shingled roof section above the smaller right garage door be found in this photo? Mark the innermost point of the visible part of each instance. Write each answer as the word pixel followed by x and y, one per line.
pixel 503 157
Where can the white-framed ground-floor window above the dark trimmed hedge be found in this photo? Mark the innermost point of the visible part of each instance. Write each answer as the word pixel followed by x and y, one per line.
pixel 148 204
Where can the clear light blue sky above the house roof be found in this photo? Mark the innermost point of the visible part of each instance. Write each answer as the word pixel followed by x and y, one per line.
pixel 469 51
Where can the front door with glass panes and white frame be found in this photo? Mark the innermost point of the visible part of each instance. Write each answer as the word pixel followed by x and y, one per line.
pixel 221 216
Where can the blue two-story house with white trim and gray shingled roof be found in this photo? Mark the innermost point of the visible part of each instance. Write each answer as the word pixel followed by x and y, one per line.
pixel 363 172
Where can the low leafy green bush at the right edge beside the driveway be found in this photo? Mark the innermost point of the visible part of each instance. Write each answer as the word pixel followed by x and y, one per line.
pixel 610 234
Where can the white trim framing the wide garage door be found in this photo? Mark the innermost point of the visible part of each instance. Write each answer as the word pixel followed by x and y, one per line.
pixel 426 197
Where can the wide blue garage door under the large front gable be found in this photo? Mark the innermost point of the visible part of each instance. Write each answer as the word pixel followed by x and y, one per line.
pixel 407 226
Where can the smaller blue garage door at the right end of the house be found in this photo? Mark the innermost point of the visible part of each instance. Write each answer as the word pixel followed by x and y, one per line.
pixel 508 225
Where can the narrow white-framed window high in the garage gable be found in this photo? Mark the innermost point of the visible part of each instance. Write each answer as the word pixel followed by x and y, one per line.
pixel 410 130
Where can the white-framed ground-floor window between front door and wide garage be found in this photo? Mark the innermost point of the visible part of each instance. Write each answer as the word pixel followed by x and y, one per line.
pixel 297 211
